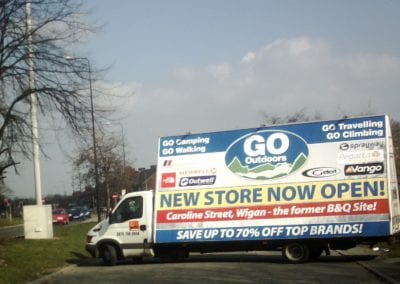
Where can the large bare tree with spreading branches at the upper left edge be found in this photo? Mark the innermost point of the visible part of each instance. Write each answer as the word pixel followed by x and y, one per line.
pixel 60 84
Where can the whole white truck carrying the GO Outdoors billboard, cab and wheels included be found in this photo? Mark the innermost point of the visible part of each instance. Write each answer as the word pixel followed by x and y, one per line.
pixel 301 188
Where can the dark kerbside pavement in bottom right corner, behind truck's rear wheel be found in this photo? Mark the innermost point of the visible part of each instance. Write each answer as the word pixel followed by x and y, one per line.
pixel 379 262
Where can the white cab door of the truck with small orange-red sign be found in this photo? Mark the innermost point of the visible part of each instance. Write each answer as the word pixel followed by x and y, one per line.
pixel 128 224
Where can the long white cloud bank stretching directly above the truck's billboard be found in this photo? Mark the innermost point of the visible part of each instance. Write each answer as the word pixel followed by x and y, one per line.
pixel 284 77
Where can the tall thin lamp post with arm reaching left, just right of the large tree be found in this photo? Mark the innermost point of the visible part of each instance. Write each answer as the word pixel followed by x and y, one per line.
pixel 96 172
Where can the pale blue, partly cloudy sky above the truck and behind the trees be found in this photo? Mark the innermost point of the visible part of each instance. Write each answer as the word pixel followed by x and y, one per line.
pixel 211 65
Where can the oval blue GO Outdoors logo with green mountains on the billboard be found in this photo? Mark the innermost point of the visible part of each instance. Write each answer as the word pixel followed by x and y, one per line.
pixel 266 155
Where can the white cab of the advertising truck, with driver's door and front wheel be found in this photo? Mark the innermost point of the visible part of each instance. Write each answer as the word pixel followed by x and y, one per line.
pixel 127 232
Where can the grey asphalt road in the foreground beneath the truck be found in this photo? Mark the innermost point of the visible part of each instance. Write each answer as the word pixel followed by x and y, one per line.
pixel 261 267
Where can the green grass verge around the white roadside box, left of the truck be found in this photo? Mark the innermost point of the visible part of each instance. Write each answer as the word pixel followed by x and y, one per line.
pixel 23 260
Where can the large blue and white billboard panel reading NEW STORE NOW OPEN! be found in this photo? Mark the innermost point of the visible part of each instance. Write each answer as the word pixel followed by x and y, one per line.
pixel 308 180
